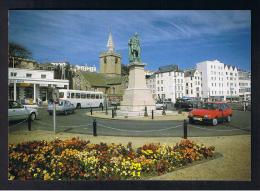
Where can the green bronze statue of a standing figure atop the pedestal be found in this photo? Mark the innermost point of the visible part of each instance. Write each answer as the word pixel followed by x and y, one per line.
pixel 134 49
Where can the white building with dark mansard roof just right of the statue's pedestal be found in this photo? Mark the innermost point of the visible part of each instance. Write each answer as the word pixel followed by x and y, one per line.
pixel 169 83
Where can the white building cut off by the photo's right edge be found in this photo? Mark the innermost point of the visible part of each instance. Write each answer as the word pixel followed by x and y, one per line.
pixel 244 80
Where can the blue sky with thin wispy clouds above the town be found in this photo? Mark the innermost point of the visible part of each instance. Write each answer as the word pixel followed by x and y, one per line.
pixel 167 37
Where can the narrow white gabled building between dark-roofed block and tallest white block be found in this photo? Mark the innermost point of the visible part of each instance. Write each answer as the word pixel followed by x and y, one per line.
pixel 193 83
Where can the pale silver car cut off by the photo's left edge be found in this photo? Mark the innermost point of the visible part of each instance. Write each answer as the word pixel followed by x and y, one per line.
pixel 17 111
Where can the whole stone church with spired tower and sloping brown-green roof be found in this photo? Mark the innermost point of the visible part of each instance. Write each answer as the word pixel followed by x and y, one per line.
pixel 109 80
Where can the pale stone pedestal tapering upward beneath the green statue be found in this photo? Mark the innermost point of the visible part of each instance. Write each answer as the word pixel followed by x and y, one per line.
pixel 137 95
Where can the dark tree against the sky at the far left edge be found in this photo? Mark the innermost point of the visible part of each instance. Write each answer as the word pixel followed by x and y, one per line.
pixel 17 50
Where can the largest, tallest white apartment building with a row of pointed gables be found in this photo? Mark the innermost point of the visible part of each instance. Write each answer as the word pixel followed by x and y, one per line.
pixel 219 81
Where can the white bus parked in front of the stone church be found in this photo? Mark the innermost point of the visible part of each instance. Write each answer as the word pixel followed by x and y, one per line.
pixel 82 99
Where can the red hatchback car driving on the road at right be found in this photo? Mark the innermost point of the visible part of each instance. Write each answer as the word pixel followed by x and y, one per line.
pixel 211 112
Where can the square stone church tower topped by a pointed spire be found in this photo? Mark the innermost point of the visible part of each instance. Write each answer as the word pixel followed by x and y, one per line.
pixel 110 61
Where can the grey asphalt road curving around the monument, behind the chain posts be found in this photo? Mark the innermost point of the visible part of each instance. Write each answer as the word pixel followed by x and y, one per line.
pixel 79 122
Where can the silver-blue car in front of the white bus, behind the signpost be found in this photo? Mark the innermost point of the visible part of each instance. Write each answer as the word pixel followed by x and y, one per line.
pixel 63 106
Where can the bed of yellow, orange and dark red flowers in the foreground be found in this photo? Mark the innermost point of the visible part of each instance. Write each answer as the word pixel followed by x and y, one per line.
pixel 76 159
